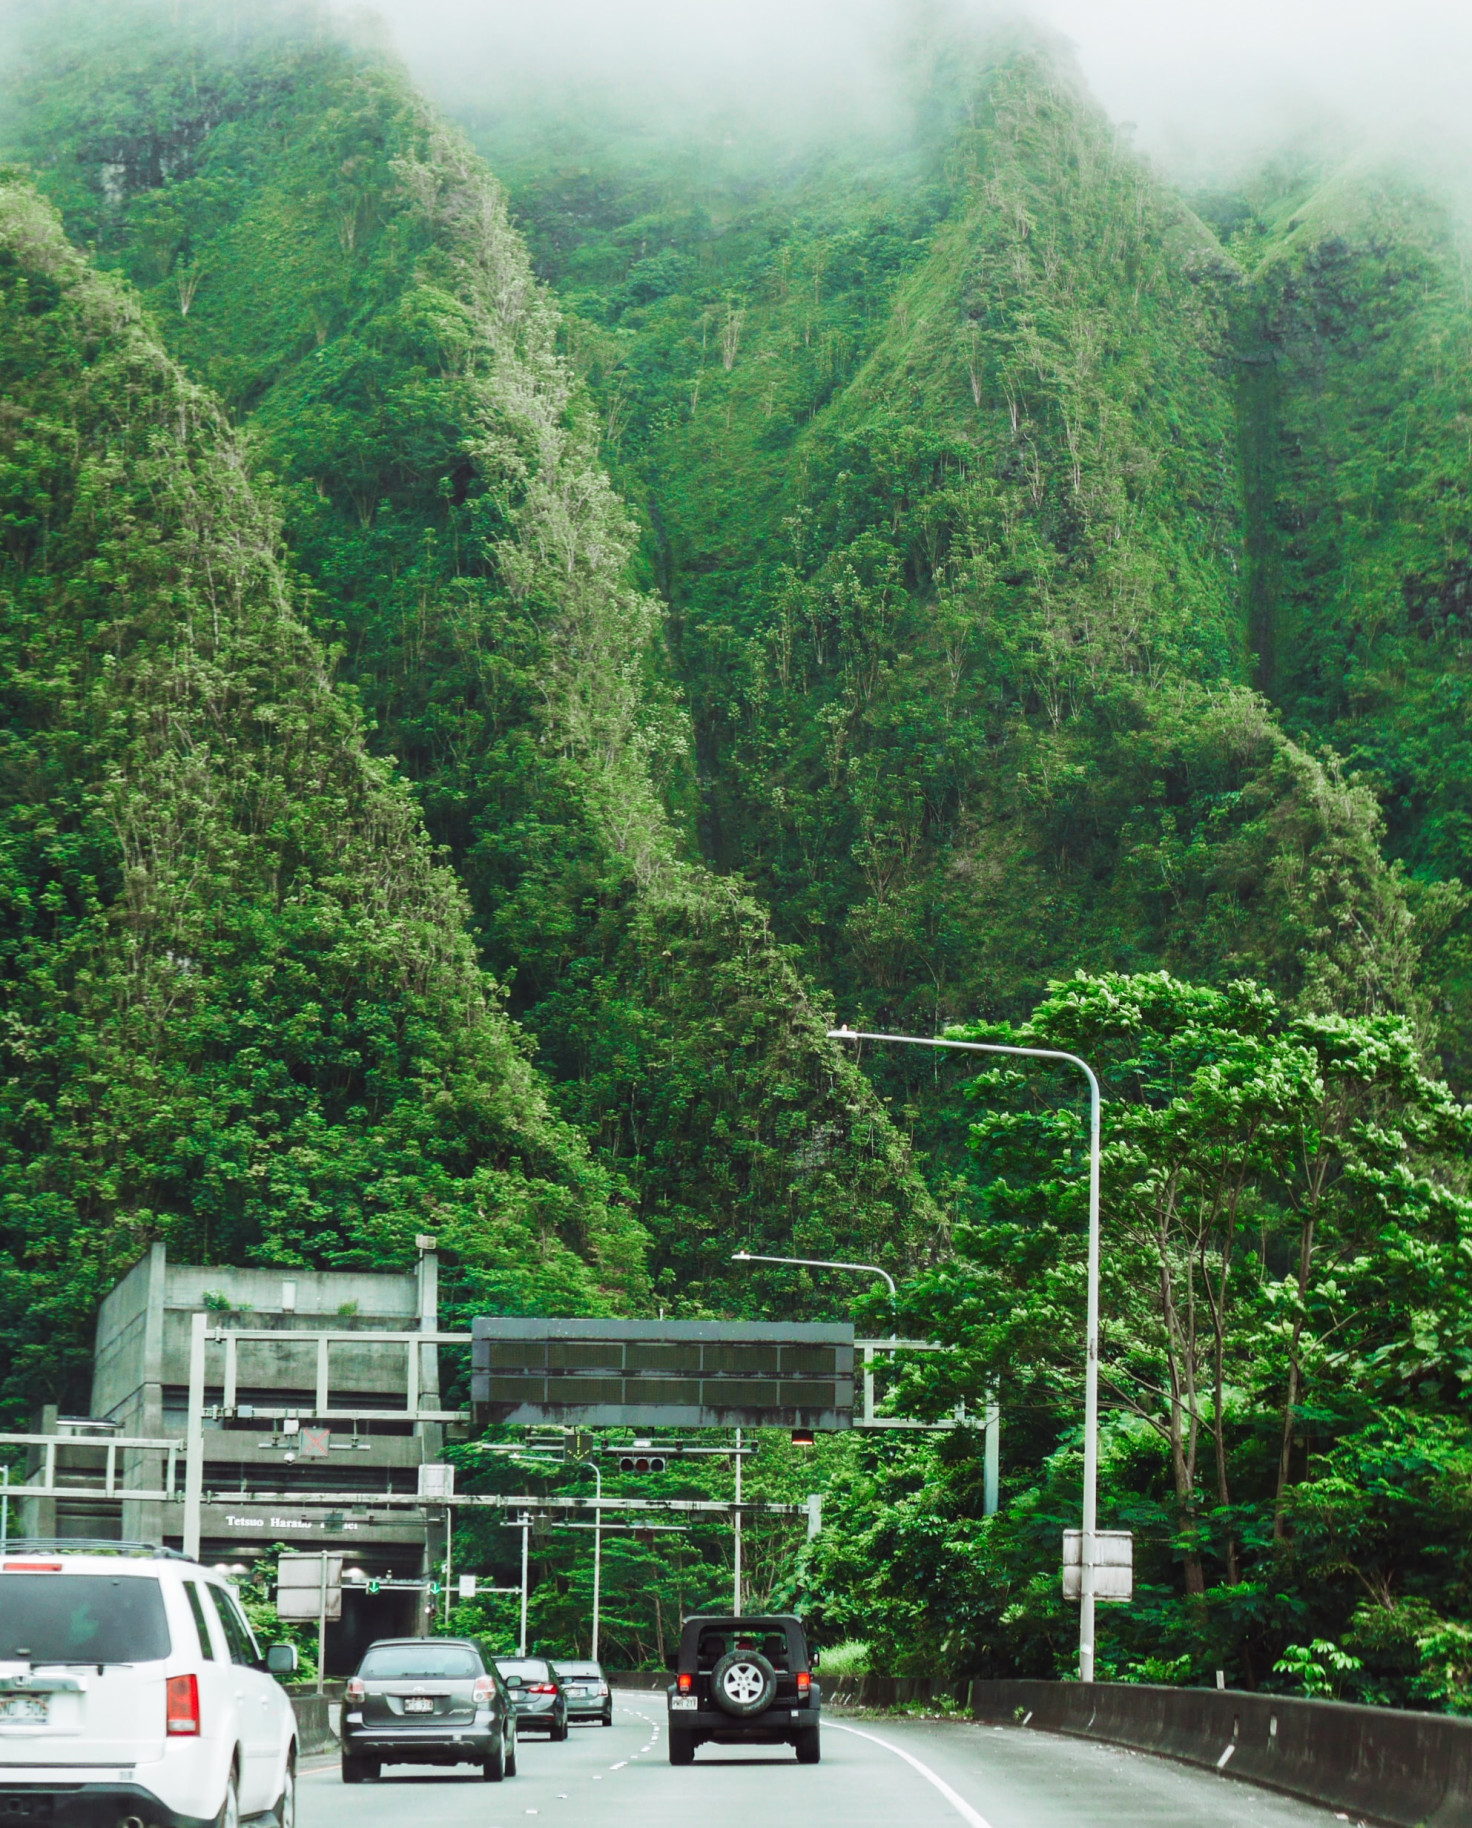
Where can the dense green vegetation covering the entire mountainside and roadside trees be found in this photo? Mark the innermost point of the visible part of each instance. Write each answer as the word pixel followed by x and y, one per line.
pixel 513 626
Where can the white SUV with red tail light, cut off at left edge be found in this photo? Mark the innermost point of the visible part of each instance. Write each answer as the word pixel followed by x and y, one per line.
pixel 134 1695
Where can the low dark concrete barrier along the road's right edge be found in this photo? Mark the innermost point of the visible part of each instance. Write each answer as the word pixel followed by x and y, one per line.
pixel 1409 1770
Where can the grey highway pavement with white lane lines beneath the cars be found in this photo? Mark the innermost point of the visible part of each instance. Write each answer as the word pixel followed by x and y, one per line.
pixel 875 1774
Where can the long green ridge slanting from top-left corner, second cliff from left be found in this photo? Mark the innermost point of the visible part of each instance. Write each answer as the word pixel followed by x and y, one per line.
pixel 343 268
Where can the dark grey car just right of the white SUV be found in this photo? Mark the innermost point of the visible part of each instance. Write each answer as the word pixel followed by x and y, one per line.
pixel 427 1701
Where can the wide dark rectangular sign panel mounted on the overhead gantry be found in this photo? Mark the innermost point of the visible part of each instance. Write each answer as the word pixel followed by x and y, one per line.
pixel 668 1374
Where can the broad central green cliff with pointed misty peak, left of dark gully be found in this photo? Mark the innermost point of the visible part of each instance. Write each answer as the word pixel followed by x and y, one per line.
pixel 941 465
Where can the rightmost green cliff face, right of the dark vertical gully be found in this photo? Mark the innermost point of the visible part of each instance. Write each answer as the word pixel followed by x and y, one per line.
pixel 1356 350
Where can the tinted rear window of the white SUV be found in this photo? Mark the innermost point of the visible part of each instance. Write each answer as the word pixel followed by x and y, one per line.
pixel 81 1619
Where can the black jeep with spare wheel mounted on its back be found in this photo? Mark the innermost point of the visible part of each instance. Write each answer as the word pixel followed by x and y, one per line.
pixel 743 1683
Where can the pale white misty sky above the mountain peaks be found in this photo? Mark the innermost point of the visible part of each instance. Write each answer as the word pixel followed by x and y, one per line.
pixel 1206 81
